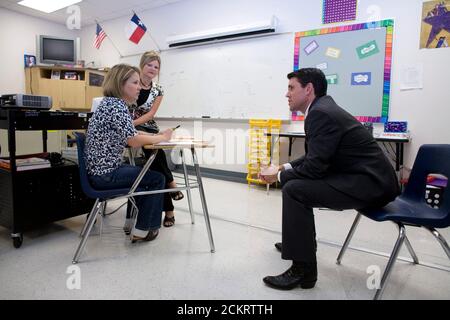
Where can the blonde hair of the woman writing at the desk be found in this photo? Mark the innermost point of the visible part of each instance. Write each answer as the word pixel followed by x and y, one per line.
pixel 116 78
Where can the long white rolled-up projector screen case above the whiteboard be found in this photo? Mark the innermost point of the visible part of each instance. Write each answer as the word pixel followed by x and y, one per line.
pixel 224 34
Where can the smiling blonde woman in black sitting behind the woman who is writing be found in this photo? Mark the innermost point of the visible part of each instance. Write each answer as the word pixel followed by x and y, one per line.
pixel 143 114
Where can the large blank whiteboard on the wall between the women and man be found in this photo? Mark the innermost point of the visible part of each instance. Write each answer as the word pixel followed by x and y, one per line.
pixel 240 79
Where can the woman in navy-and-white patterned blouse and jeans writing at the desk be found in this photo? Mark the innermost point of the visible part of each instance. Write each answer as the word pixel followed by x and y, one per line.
pixel 110 130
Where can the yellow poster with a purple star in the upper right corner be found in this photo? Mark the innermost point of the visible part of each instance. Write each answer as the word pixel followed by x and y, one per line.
pixel 435 24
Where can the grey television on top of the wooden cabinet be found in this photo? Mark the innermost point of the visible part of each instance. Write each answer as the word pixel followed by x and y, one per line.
pixel 53 50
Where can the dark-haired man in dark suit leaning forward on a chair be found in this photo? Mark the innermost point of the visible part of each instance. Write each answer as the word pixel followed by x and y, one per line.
pixel 343 168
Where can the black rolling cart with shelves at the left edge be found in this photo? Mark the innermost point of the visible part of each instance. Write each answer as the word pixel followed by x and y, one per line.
pixel 32 198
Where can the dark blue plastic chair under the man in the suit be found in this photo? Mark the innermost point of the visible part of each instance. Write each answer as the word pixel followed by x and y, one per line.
pixel 410 207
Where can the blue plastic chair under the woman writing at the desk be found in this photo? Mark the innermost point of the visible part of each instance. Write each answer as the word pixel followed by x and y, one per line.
pixel 101 196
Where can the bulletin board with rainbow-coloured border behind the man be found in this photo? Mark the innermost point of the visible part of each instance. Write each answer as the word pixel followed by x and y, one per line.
pixel 356 60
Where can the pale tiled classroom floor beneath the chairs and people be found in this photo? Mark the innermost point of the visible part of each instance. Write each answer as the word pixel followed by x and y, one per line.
pixel 179 265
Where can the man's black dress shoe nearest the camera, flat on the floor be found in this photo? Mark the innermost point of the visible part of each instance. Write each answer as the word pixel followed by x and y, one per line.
pixel 305 277
